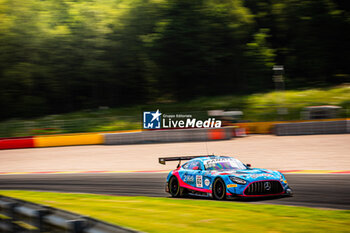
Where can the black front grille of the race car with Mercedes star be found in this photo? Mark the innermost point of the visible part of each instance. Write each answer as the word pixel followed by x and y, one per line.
pixel 264 188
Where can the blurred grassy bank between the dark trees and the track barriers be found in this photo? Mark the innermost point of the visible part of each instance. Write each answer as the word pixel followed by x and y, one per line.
pixel 256 107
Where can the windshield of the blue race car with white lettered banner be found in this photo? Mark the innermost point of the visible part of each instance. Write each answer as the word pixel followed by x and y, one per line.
pixel 223 164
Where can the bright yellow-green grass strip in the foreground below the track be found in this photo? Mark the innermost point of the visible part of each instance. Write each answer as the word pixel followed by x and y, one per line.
pixel 151 214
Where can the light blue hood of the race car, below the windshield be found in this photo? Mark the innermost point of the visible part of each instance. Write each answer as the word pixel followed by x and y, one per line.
pixel 254 174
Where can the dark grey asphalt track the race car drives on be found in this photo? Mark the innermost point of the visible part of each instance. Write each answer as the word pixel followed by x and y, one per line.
pixel 313 190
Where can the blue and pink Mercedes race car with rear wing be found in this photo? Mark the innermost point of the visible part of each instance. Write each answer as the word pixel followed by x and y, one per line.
pixel 222 177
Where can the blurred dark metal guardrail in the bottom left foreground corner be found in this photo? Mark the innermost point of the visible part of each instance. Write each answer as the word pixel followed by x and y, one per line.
pixel 19 216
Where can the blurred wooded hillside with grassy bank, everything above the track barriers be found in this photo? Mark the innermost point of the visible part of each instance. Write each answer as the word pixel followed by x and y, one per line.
pixel 80 66
